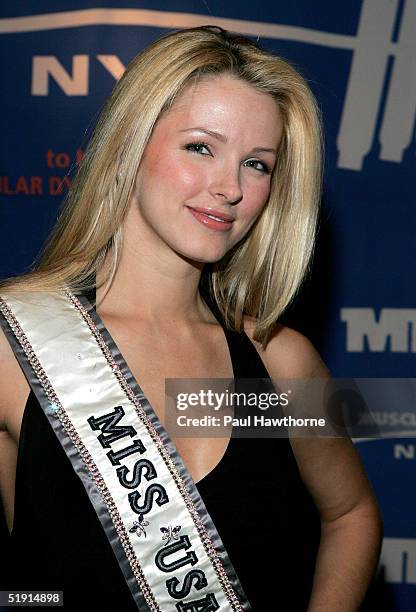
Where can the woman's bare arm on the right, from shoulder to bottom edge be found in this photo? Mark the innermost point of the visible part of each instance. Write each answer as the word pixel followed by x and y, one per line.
pixel 351 524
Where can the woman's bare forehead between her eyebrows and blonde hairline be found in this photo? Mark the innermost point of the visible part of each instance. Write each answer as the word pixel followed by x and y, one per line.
pixel 228 104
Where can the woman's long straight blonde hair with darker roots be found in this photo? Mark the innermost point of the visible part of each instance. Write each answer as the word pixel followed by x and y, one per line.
pixel 260 276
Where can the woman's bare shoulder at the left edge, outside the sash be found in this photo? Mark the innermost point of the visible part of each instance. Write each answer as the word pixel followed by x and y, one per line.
pixel 14 388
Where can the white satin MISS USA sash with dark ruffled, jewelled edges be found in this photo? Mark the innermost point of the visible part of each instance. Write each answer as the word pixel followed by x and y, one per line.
pixel 166 543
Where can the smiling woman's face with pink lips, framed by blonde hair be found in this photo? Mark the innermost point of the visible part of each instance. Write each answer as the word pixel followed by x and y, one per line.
pixel 206 171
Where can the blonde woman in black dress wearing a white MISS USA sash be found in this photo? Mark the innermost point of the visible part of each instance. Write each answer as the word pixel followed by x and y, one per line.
pixel 206 159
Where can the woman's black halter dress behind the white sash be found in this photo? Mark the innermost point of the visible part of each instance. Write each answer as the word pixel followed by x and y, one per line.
pixel 255 496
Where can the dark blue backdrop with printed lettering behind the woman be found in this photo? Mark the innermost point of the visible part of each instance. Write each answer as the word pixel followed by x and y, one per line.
pixel 359 305
